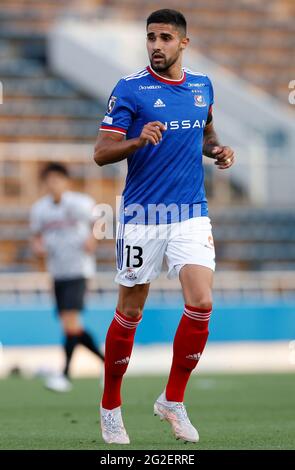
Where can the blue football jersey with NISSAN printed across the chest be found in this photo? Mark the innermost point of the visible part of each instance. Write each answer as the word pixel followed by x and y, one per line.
pixel 165 182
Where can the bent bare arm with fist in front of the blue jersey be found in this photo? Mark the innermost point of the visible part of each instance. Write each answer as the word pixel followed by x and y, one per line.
pixel 111 147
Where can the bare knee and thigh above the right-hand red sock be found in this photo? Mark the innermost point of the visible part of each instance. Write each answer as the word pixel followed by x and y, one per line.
pixel 196 282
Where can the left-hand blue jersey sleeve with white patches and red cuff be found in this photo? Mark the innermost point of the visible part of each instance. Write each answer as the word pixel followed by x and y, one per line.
pixel 121 109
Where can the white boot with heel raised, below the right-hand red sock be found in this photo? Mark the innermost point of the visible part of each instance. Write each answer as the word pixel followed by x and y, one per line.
pixel 175 413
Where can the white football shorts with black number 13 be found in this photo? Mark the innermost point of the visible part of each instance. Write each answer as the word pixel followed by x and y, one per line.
pixel 141 249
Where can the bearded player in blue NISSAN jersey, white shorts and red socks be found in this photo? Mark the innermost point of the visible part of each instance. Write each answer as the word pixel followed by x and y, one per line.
pixel 160 119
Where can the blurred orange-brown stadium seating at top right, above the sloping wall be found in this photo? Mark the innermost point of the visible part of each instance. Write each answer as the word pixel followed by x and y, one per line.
pixel 254 39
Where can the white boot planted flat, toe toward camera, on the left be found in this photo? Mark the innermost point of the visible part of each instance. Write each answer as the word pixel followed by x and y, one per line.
pixel 112 426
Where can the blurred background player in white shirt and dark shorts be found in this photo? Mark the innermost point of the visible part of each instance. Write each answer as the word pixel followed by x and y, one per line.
pixel 61 226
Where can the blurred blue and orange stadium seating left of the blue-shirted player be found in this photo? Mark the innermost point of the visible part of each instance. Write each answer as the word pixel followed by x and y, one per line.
pixel 39 107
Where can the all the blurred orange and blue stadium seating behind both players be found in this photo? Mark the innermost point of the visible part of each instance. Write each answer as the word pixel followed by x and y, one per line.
pixel 40 108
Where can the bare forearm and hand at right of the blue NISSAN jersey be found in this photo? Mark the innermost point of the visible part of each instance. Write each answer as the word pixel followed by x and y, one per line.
pixel 223 155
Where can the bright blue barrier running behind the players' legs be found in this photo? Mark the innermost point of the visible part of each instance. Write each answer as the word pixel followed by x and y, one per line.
pixel 231 321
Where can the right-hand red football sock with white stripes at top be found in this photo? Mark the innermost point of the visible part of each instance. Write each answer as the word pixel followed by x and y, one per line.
pixel 189 342
